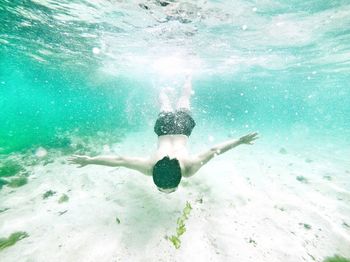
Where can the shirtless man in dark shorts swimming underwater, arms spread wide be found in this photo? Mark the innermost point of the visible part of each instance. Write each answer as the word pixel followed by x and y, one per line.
pixel 171 161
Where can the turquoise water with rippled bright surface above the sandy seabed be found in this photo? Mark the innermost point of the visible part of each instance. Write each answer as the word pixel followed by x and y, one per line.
pixel 86 67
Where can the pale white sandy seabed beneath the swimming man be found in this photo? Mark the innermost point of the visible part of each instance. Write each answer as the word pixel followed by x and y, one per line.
pixel 253 209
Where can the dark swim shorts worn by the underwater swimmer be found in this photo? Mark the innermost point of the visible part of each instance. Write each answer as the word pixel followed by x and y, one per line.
pixel 179 122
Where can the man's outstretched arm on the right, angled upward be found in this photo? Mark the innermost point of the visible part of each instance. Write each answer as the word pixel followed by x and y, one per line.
pixel 219 149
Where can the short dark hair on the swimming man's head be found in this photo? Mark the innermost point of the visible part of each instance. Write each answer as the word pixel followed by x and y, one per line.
pixel 167 173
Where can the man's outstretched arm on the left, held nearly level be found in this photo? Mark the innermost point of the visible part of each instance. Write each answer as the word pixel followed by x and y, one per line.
pixel 140 164
